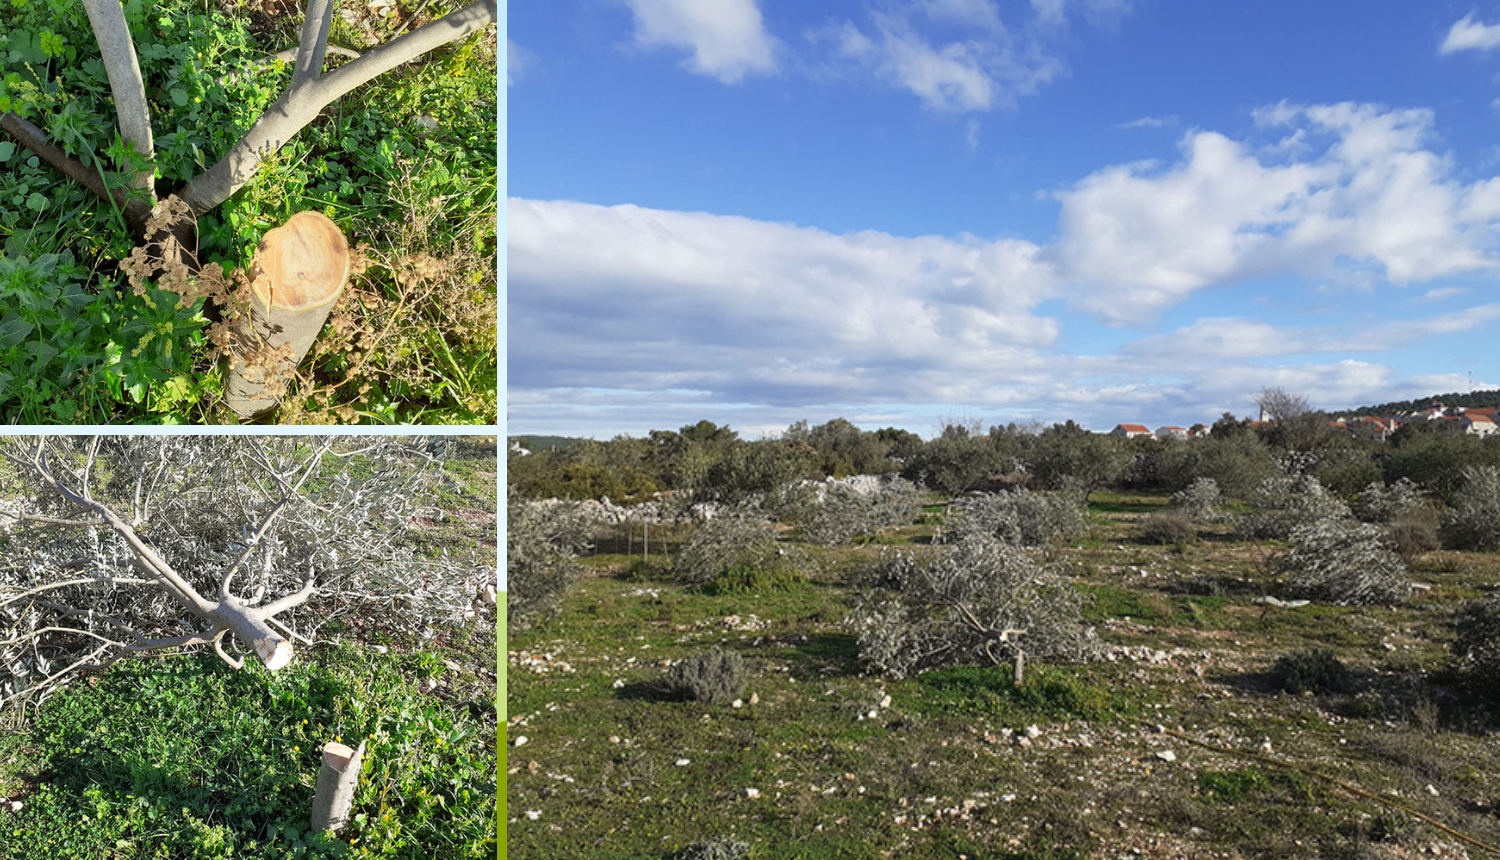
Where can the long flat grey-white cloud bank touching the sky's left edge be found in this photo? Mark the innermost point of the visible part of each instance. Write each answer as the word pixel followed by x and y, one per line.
pixel 736 305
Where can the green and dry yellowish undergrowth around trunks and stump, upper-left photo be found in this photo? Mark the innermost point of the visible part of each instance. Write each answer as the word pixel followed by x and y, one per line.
pixel 406 166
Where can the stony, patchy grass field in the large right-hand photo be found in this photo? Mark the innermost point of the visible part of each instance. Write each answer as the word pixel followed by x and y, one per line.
pixel 1178 745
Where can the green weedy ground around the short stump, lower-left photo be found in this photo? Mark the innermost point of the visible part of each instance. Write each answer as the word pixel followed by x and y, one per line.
pixel 179 757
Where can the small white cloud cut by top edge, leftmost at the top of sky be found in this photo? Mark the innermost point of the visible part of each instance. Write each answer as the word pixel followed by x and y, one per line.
pixel 727 38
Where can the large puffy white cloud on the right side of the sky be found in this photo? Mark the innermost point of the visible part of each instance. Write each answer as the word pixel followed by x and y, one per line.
pixel 1136 239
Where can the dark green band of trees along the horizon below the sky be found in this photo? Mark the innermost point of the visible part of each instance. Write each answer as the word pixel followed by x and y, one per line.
pixel 709 462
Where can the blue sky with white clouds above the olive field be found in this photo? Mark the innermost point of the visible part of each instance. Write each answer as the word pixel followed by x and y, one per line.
pixel 896 212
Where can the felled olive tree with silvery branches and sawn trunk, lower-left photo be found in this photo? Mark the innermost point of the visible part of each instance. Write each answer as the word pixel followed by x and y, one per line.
pixel 121 546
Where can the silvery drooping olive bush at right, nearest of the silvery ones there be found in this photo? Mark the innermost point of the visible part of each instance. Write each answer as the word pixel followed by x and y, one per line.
pixel 1346 564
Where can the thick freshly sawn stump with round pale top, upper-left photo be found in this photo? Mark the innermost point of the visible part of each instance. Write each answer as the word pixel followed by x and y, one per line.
pixel 296 278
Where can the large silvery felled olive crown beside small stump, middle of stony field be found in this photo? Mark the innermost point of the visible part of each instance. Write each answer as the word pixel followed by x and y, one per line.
pixel 953 609
